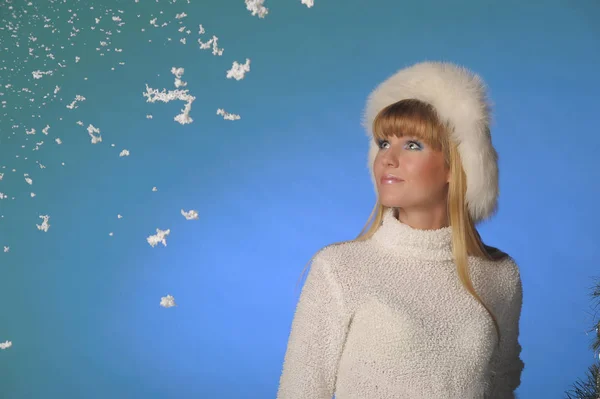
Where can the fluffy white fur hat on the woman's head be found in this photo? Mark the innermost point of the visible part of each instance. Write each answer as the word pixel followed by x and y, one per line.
pixel 459 97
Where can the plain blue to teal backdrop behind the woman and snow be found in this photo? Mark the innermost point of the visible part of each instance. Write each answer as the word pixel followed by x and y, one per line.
pixel 82 308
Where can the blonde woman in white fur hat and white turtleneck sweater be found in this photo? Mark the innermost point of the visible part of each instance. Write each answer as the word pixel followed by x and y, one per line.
pixel 417 306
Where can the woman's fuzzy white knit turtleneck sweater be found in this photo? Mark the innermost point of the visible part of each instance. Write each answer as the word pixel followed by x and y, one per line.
pixel 388 318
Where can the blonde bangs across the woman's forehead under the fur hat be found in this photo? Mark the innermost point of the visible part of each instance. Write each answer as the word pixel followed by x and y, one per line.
pixel 411 118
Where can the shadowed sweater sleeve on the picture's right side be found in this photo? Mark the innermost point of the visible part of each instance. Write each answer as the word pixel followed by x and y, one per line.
pixel 506 365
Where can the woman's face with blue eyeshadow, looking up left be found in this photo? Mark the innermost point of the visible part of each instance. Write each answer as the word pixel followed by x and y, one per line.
pixel 421 175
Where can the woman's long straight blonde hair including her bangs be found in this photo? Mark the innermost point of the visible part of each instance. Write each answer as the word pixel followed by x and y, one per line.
pixel 419 119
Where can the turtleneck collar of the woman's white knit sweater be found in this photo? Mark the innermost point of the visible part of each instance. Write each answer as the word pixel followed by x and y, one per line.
pixel 417 243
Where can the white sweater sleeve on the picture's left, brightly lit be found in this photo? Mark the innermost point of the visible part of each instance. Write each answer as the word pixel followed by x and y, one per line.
pixel 316 339
